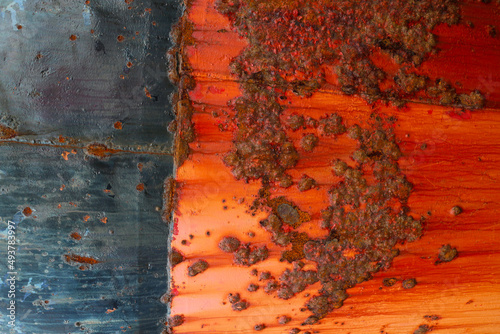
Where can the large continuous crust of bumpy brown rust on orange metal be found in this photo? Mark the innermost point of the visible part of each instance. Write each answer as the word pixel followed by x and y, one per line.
pixel 289 46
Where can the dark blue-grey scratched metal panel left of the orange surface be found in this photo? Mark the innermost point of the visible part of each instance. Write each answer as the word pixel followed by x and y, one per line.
pixel 60 96
